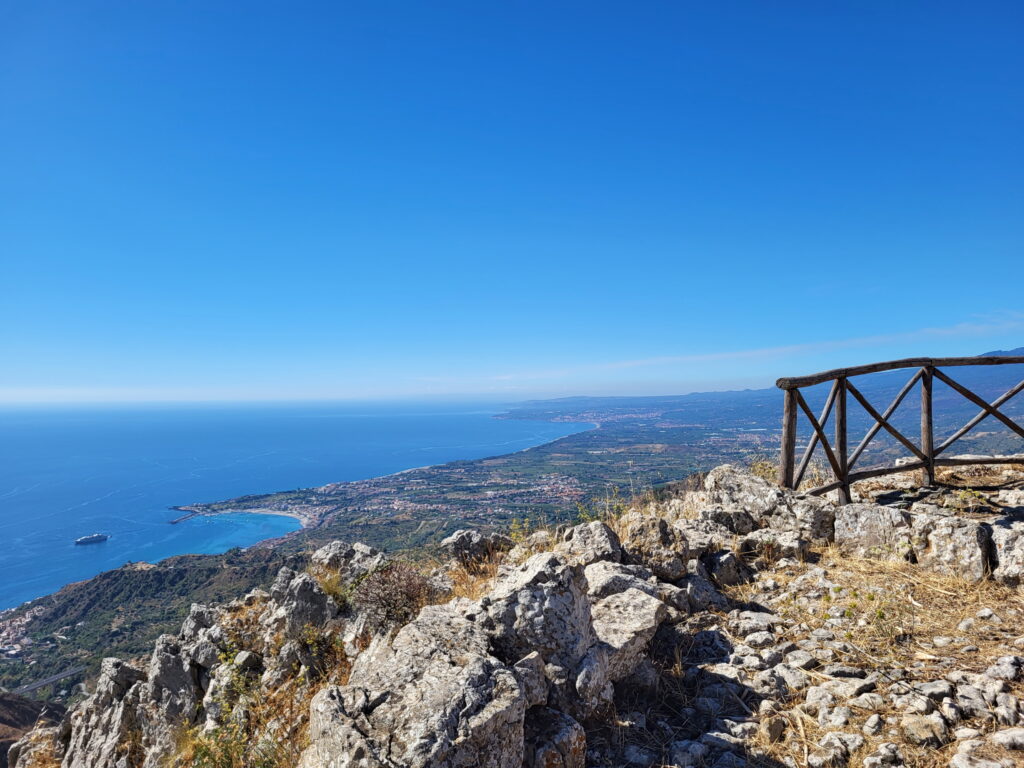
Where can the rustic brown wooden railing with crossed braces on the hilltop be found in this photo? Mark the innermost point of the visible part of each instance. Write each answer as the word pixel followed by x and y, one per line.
pixel 925 452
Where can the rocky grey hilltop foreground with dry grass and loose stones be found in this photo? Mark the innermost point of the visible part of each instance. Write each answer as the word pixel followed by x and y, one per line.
pixel 737 625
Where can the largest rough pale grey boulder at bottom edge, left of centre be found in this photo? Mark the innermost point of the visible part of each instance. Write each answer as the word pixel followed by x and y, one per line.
pixel 433 697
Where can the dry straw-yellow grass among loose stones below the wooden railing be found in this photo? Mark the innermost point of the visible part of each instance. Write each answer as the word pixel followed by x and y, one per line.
pixel 893 610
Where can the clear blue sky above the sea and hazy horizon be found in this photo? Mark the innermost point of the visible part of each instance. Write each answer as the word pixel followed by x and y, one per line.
pixel 269 200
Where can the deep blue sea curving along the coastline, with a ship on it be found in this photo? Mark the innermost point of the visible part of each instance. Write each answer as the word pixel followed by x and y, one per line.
pixel 69 473
